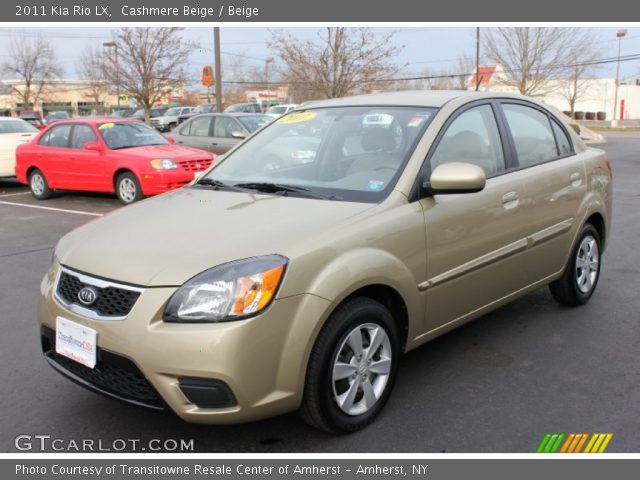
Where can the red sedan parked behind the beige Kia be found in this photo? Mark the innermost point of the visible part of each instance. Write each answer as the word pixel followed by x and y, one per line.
pixel 106 155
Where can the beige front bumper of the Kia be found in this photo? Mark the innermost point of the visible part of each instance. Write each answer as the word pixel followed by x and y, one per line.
pixel 262 361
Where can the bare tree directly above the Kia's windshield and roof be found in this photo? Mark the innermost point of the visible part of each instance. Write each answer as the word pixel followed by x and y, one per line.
pixel 341 60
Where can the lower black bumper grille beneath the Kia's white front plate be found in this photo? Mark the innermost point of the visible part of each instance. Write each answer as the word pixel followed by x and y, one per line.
pixel 114 375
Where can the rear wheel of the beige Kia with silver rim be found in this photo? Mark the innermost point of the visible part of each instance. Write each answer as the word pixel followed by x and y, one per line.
pixel 580 278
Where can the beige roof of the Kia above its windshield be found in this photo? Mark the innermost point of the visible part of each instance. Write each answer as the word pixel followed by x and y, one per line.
pixel 413 98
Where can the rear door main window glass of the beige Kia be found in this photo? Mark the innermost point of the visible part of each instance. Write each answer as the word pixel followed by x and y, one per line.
pixel 531 133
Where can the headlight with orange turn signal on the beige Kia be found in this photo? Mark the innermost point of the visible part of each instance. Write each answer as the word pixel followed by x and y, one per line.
pixel 231 291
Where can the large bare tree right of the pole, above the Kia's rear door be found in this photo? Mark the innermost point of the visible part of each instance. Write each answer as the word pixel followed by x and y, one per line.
pixel 531 56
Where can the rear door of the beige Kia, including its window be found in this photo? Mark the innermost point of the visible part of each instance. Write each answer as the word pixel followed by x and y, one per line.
pixel 555 185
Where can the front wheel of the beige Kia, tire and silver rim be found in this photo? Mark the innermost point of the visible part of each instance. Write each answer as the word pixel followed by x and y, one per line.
pixel 368 376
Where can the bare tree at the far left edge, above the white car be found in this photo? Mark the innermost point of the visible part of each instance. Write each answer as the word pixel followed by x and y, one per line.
pixel 33 62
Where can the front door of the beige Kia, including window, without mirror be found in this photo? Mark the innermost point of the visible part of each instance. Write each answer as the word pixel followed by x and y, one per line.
pixel 475 241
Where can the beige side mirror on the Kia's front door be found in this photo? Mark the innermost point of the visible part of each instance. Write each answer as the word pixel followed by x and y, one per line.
pixel 456 178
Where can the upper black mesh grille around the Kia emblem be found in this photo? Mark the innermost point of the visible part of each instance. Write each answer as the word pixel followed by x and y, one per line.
pixel 111 301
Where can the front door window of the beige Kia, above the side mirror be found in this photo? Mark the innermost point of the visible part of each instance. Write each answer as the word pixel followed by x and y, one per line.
pixel 472 137
